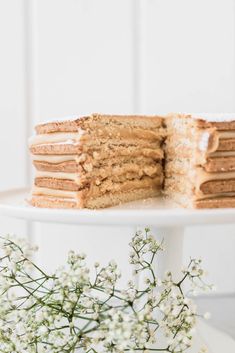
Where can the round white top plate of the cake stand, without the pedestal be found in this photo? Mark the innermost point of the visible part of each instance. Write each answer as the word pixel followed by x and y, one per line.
pixel 152 212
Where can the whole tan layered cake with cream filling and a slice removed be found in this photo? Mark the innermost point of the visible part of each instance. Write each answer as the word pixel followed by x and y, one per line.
pixel 103 160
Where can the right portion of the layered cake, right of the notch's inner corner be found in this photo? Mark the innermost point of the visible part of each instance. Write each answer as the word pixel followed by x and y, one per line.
pixel 200 160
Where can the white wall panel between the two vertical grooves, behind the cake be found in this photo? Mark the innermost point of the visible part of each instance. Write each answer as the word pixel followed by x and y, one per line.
pixel 84 64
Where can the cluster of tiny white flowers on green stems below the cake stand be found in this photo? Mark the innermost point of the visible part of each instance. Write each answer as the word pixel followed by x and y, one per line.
pixel 72 309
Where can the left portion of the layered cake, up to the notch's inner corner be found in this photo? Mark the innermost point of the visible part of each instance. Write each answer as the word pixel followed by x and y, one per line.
pixel 97 161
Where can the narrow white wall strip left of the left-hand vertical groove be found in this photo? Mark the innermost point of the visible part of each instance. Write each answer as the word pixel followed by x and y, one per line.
pixel 13 131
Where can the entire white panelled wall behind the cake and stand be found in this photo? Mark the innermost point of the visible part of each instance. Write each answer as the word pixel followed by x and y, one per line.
pixel 63 57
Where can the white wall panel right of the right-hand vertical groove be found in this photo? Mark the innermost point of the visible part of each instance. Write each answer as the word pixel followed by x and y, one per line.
pixel 187 63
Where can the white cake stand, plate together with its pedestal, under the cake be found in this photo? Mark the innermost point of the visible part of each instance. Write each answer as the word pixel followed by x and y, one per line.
pixel 165 220
